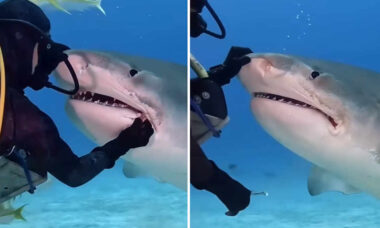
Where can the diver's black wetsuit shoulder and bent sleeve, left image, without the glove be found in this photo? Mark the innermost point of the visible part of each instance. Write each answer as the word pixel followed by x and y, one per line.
pixel 32 130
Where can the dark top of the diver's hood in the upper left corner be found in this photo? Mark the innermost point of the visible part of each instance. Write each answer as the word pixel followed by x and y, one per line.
pixel 24 11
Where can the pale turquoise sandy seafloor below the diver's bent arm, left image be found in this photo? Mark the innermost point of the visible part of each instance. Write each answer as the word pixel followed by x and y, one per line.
pixel 110 200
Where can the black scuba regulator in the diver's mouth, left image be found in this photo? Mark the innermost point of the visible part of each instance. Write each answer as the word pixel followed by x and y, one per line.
pixel 50 54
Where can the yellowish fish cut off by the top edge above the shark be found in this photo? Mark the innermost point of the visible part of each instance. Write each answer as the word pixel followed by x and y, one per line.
pixel 71 5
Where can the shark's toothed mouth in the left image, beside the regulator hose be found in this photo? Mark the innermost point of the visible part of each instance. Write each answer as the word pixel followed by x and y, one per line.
pixel 101 99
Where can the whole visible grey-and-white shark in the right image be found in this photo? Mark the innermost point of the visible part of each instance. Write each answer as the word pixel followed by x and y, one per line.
pixel 331 119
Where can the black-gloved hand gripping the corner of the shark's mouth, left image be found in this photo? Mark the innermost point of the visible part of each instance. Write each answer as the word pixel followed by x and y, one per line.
pixel 137 135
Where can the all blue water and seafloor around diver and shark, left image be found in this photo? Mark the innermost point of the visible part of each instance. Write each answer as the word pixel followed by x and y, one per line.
pixel 149 28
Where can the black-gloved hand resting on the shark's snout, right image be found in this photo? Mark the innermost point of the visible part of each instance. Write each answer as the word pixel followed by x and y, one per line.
pixel 231 66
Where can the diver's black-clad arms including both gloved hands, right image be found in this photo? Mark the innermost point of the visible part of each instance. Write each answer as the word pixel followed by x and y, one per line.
pixel 204 173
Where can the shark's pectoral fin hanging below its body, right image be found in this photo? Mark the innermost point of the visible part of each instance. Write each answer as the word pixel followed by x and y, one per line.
pixel 321 180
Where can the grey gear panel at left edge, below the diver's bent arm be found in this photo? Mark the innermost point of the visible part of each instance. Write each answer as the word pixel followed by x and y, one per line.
pixel 13 181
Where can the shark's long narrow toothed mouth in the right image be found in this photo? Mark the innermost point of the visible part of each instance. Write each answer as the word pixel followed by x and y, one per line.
pixel 291 101
